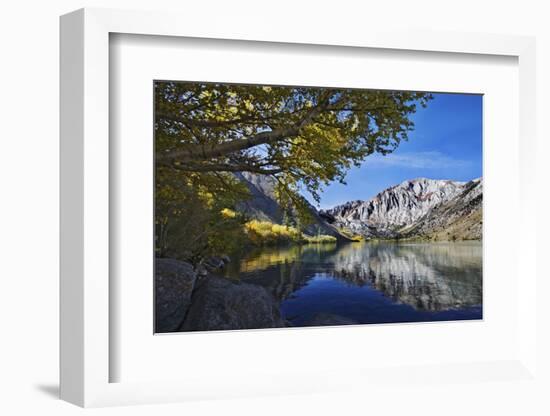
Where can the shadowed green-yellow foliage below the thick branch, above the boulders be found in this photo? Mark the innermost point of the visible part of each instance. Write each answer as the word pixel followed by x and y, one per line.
pixel 190 220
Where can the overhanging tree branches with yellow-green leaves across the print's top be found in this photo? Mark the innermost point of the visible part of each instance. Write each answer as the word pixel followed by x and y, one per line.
pixel 303 137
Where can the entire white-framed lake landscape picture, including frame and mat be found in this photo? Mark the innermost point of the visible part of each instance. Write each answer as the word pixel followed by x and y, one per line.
pixel 228 198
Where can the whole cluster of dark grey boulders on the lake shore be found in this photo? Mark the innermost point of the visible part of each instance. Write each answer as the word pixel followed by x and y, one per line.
pixel 192 299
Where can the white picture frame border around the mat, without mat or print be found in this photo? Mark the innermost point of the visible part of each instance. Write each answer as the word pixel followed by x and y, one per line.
pixel 85 212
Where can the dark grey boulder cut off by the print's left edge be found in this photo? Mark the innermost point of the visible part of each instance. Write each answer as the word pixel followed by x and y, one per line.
pixel 174 283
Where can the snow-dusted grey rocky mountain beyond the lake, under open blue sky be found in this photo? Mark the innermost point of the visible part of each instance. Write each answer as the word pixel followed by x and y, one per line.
pixel 418 208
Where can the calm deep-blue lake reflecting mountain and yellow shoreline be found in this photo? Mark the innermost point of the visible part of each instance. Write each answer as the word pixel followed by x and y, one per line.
pixel 366 283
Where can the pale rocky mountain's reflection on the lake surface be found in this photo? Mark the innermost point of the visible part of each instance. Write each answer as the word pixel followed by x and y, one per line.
pixel 425 276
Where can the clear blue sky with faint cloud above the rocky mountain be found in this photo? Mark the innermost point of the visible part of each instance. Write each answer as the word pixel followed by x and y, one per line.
pixel 445 144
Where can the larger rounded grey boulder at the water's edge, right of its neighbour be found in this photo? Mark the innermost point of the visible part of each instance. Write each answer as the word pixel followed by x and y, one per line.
pixel 222 304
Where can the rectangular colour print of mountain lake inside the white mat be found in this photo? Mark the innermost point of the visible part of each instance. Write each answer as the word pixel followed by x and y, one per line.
pixel 289 206
